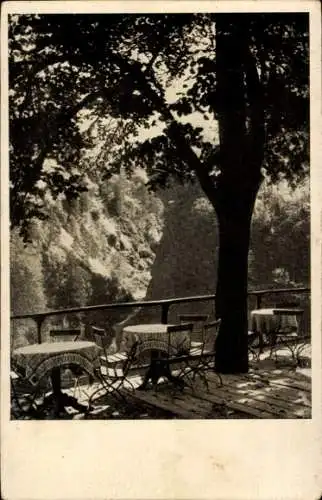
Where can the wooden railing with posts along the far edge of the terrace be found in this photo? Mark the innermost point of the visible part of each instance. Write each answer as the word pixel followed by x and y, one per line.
pixel 165 305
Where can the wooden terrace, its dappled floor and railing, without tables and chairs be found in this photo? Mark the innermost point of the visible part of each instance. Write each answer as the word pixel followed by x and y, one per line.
pixel 278 385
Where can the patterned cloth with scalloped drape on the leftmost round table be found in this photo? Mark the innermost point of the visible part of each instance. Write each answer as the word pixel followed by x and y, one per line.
pixel 36 360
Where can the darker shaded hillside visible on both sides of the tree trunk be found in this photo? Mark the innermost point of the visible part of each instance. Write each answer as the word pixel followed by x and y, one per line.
pixel 279 246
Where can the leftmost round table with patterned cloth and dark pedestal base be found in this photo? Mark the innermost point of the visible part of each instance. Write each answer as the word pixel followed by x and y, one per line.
pixel 36 361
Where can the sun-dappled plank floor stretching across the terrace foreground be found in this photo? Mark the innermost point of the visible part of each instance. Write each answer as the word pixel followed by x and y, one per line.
pixel 270 390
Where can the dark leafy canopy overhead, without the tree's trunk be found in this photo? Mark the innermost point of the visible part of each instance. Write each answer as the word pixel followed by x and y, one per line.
pixel 125 66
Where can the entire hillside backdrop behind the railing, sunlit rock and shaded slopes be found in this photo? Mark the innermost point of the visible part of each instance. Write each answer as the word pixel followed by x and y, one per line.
pixel 49 275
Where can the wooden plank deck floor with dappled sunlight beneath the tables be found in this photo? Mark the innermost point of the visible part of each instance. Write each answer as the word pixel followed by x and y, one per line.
pixel 266 392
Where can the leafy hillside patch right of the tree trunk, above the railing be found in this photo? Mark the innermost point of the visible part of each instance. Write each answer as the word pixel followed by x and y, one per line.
pixel 280 246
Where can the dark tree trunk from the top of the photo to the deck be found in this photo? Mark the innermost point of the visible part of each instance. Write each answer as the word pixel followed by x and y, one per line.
pixel 237 105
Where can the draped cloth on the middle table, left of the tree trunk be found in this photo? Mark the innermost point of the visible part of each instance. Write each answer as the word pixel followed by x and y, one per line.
pixel 155 336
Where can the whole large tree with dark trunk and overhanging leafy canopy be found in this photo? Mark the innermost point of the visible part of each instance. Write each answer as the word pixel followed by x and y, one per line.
pixel 245 73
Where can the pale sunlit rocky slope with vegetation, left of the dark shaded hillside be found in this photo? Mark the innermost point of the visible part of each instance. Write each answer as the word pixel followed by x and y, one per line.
pixel 76 259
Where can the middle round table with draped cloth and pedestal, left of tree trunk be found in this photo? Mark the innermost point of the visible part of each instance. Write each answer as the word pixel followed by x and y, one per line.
pixel 153 338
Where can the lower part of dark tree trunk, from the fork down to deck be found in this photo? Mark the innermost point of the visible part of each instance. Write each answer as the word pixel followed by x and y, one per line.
pixel 234 220
